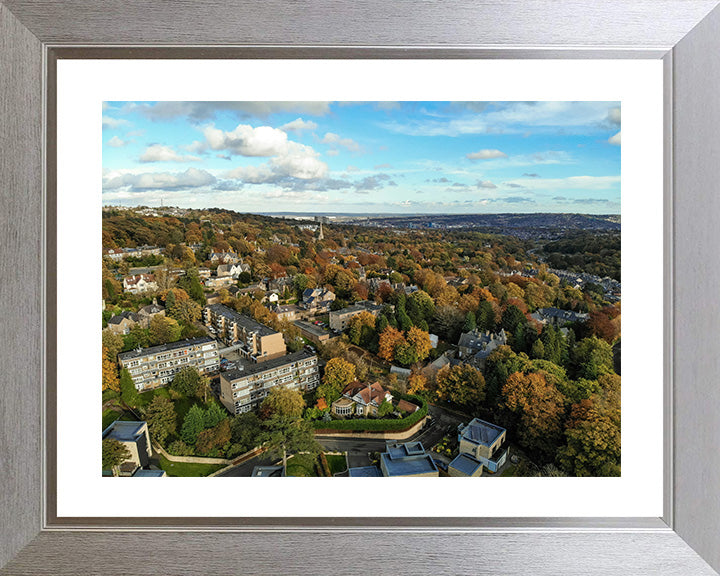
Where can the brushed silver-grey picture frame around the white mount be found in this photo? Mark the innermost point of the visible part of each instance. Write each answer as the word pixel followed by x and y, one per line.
pixel 684 34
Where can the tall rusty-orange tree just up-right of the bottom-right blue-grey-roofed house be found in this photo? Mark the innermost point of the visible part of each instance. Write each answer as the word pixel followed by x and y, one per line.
pixel 538 406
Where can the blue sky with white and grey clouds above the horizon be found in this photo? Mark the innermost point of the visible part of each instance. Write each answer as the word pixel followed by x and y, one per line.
pixel 364 157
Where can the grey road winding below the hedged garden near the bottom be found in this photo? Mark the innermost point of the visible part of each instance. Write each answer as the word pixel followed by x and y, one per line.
pixel 358 450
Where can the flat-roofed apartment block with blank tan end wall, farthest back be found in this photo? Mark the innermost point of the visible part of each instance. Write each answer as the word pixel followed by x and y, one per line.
pixel 251 339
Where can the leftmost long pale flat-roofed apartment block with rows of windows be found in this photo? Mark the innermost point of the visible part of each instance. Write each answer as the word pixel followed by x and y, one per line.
pixel 156 366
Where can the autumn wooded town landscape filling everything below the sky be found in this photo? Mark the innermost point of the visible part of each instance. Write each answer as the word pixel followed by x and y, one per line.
pixel 319 345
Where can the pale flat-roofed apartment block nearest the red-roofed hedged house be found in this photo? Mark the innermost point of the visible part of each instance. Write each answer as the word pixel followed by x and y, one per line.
pixel 244 389
